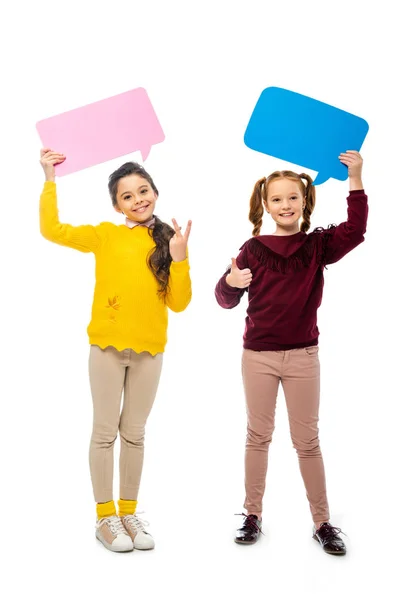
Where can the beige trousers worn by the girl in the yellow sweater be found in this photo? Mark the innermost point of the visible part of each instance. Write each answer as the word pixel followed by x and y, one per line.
pixel 112 372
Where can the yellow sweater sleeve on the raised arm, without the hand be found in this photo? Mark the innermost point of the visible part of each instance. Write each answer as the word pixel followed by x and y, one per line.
pixel 84 238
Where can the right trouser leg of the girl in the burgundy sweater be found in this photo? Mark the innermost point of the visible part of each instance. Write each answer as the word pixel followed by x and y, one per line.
pixel 301 384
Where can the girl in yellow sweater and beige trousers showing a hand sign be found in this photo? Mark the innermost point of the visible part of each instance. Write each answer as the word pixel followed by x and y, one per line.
pixel 142 269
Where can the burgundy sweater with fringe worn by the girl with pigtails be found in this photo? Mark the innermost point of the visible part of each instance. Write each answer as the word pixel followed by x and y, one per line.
pixel 287 284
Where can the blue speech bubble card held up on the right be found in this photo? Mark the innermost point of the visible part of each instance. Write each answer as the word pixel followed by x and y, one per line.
pixel 304 131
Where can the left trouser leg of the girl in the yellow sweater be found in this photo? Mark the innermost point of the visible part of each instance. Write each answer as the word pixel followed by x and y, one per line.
pixel 107 374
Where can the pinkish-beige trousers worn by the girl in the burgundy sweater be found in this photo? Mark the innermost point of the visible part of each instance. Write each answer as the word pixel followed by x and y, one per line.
pixel 299 372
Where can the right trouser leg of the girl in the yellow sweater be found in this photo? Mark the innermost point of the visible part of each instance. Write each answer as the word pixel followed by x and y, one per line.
pixel 141 385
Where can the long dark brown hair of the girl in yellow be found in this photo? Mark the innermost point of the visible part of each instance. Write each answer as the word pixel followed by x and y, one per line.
pixel 159 259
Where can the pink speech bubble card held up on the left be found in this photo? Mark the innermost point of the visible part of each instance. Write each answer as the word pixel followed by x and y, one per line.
pixel 103 130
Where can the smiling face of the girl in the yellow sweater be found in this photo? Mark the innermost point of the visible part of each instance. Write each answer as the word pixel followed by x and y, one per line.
pixel 136 198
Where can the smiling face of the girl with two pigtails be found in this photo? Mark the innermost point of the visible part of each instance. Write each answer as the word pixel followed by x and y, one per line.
pixel 285 204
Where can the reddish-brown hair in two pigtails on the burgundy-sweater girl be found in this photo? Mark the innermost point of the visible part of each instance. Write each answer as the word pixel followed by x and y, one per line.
pixel 260 192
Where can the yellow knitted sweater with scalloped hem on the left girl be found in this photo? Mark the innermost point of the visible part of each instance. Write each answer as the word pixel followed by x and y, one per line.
pixel 127 312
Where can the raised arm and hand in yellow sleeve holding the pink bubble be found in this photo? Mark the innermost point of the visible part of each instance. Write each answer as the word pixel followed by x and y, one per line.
pixel 85 237
